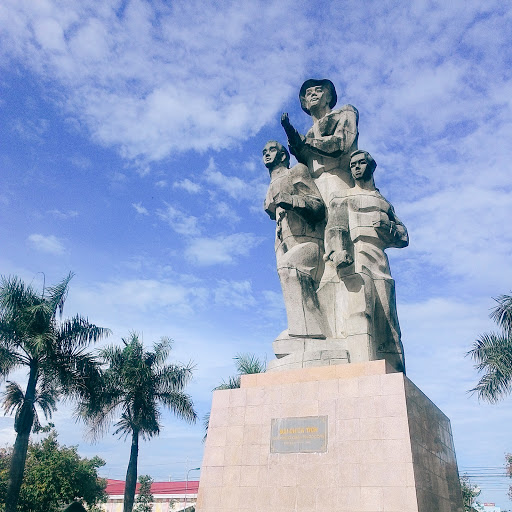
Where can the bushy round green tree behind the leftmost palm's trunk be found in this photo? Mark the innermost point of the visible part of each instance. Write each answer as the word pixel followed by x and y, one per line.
pixel 54 476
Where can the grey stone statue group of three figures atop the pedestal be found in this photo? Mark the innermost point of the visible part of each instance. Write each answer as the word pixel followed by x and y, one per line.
pixel 332 228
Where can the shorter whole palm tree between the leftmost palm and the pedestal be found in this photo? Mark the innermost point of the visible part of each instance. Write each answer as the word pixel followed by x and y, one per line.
pixel 134 384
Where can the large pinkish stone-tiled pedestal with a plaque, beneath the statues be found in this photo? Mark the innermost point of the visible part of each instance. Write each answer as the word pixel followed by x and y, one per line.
pixel 350 437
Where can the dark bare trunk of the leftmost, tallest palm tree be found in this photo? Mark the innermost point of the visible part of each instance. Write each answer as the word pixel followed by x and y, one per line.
pixel 23 426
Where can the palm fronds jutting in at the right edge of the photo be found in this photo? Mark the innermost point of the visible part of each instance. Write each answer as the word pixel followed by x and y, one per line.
pixel 492 353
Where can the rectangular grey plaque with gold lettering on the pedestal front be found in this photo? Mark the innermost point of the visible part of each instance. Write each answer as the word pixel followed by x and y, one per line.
pixel 299 435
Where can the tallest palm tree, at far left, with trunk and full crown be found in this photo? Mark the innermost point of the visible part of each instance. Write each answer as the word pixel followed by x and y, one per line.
pixel 33 335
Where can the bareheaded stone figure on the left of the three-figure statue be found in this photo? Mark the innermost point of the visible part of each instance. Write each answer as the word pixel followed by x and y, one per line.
pixel 294 202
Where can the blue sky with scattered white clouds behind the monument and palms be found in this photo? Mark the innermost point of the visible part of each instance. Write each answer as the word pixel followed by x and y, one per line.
pixel 130 149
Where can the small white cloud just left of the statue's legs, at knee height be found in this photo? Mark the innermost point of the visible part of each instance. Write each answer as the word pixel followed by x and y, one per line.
pixel 221 249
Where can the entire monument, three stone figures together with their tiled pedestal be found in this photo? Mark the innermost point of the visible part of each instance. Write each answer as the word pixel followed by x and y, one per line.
pixel 334 424
